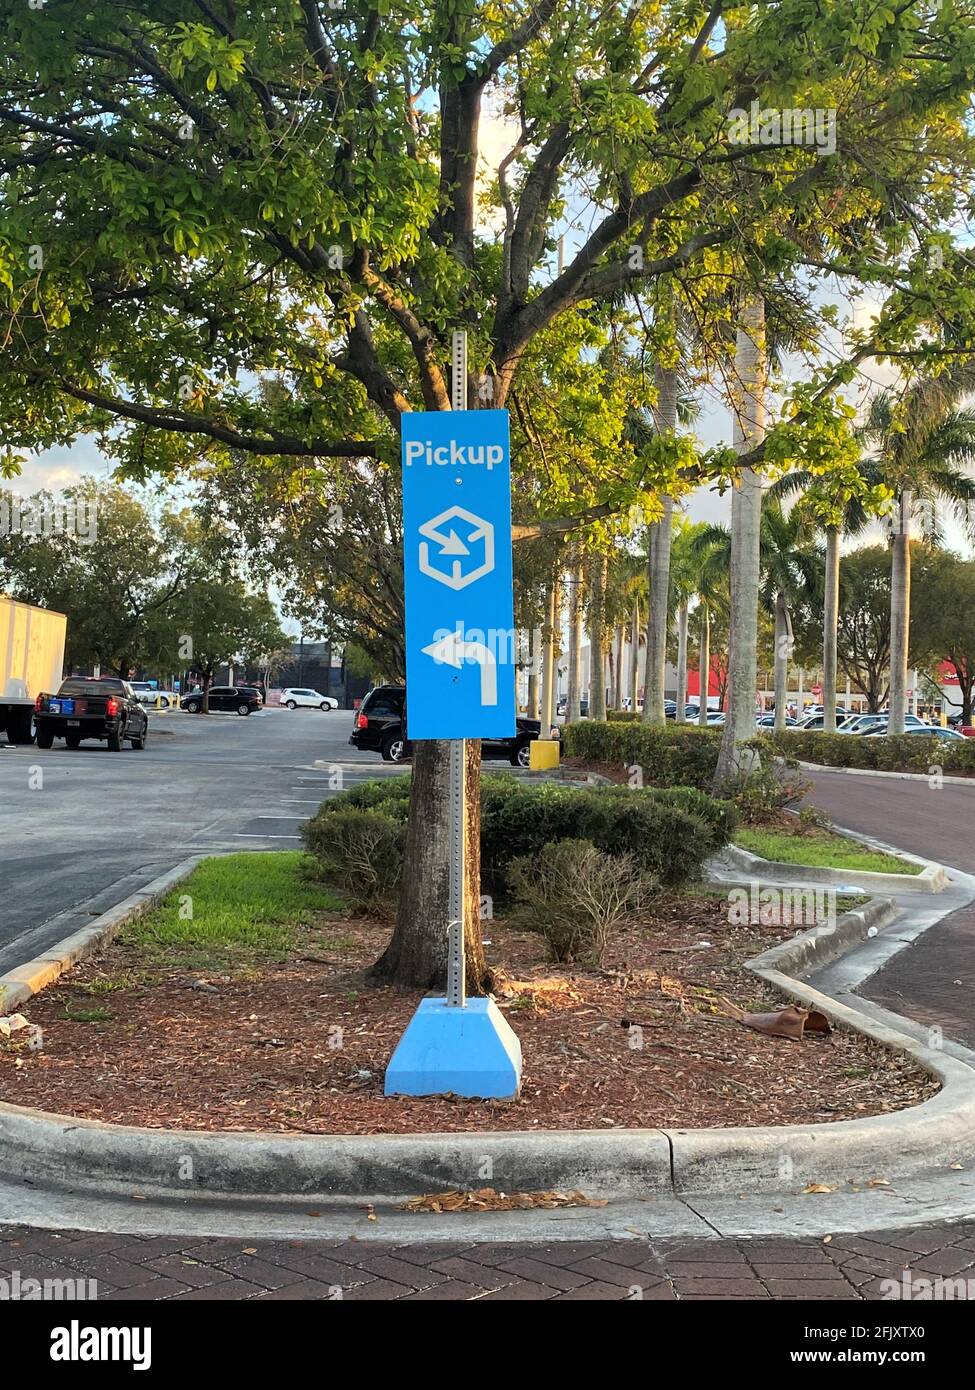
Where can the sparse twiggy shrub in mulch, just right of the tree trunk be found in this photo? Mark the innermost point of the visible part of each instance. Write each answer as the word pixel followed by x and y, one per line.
pixel 577 896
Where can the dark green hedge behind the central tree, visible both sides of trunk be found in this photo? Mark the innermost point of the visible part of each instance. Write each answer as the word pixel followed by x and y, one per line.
pixel 668 832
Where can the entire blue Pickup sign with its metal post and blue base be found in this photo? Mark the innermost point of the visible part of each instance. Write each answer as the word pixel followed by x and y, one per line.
pixel 461 679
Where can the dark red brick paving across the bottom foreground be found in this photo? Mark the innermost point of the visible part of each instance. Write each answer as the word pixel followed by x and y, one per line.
pixel 186 1268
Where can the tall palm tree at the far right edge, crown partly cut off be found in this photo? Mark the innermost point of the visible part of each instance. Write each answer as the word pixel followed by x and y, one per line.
pixel 919 441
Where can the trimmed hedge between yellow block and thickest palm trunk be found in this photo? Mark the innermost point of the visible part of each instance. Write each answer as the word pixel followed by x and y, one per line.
pixel 675 755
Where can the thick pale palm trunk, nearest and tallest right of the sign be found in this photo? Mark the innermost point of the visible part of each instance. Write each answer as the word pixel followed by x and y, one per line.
pixel 749 411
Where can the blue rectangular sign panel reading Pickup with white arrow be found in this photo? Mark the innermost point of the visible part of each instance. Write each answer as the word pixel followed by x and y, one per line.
pixel 458 575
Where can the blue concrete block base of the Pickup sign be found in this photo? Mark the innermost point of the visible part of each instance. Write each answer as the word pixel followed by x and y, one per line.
pixel 468 1052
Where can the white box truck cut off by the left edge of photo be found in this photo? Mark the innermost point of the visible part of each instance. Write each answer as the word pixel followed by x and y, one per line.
pixel 31 662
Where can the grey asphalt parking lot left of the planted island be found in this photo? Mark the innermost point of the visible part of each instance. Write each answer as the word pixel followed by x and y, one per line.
pixel 81 831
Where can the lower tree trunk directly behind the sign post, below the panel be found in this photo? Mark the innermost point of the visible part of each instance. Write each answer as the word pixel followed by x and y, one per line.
pixel 417 954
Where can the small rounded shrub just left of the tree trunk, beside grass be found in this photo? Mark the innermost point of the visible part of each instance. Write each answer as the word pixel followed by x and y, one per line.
pixel 361 853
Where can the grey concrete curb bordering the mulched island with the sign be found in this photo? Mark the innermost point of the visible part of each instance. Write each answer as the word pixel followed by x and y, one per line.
pixel 87 1156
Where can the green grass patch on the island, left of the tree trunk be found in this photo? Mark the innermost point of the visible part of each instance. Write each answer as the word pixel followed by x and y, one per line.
pixel 247 903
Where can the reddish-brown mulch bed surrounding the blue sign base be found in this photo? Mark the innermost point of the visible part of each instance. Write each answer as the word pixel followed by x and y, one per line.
pixel 259 1049
